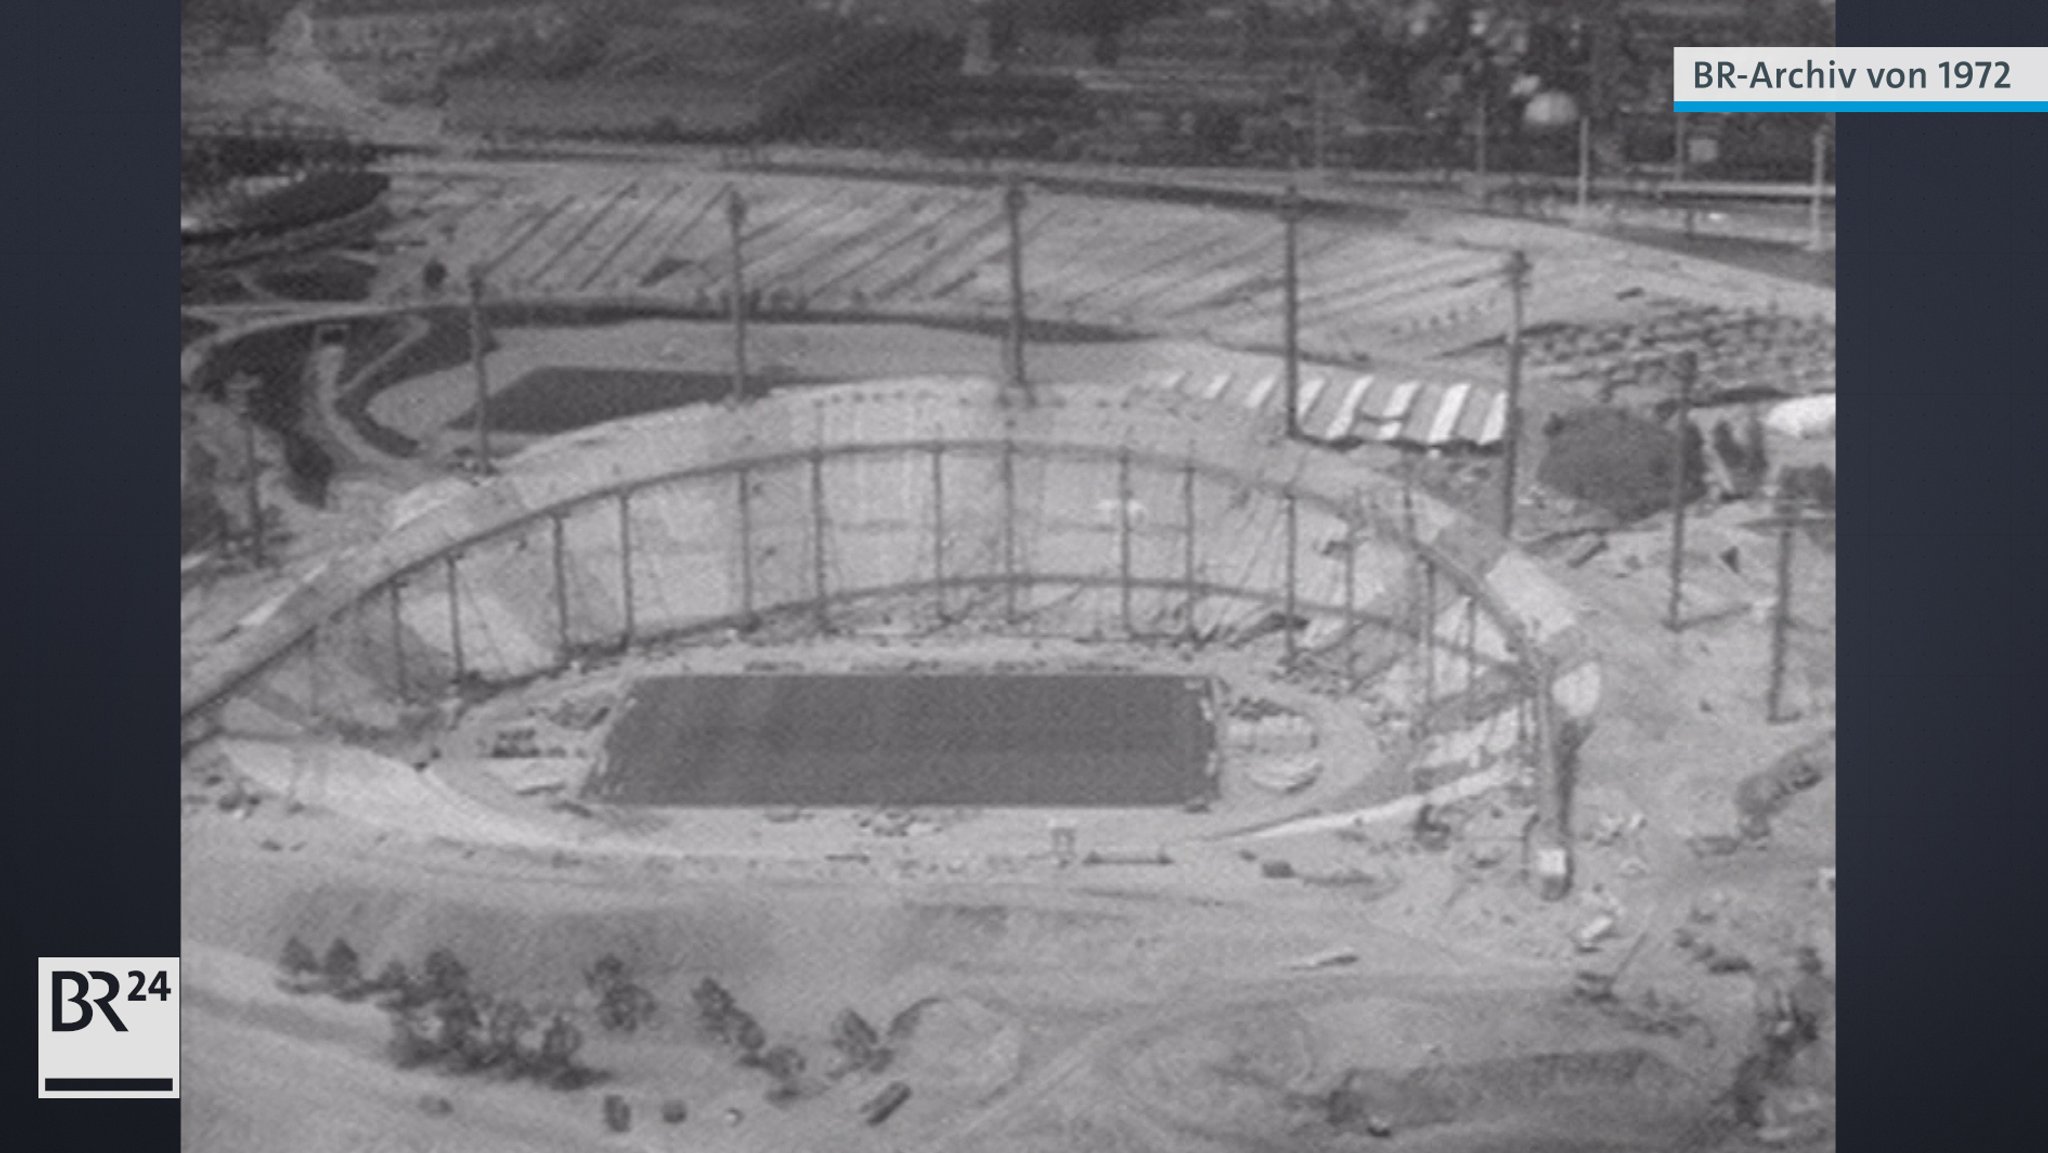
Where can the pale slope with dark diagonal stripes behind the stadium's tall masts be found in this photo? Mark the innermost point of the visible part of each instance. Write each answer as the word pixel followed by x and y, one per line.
pixel 914 249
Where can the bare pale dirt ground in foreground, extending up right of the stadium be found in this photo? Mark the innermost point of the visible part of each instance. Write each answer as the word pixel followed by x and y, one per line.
pixel 1070 1009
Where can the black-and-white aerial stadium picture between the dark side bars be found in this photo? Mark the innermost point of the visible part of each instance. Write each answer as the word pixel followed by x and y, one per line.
pixel 1002 576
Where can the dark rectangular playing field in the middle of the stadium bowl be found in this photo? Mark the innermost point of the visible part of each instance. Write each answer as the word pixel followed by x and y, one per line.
pixel 910 740
